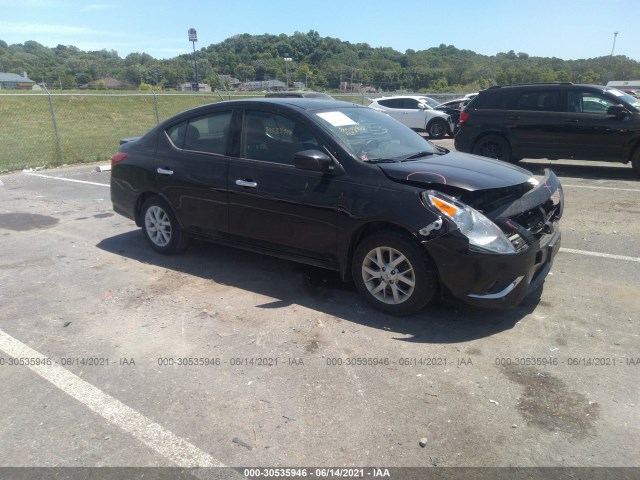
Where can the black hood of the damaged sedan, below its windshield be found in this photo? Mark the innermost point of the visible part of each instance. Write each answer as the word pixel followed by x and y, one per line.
pixel 470 172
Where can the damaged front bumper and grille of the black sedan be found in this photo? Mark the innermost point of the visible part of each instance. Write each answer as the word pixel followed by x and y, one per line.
pixel 482 278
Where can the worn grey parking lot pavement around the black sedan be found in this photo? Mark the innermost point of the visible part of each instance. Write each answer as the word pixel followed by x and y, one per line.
pixel 114 356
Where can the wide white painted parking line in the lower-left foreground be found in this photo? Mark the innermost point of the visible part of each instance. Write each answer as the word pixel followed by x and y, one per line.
pixel 170 446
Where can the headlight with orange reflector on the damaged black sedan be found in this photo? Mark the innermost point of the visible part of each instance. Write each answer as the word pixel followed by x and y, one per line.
pixel 480 231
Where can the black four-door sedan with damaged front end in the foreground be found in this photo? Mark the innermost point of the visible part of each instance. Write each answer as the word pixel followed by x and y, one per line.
pixel 344 187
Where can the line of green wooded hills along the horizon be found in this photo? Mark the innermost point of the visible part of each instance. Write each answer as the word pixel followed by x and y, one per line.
pixel 320 63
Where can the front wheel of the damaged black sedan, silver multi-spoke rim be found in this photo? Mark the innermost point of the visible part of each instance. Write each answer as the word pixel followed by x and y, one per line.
pixel 394 273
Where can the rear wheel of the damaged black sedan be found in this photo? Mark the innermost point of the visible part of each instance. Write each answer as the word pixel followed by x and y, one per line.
pixel 161 228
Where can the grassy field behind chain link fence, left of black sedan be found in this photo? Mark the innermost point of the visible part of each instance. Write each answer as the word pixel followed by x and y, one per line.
pixel 49 129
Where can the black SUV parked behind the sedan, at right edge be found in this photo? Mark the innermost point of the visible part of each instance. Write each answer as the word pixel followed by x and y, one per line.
pixel 552 120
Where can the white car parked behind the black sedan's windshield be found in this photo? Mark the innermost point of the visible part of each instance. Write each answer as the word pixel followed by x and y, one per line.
pixel 416 113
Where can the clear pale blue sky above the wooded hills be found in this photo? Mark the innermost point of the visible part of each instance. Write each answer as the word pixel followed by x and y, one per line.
pixel 567 29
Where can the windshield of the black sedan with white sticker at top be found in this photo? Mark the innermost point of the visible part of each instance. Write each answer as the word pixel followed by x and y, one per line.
pixel 373 136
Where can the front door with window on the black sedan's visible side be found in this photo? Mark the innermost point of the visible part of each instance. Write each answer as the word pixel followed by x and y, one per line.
pixel 271 202
